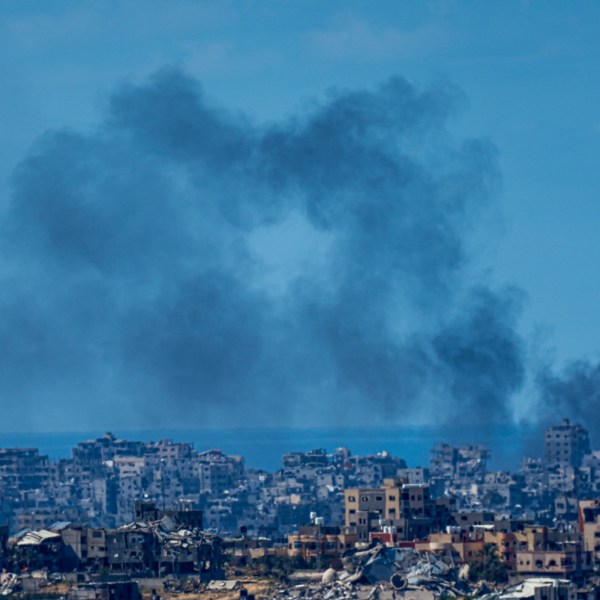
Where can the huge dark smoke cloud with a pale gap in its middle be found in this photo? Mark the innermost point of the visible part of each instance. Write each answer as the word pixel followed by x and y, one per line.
pixel 142 272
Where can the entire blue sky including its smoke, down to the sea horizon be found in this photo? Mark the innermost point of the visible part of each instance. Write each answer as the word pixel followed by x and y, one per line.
pixel 498 98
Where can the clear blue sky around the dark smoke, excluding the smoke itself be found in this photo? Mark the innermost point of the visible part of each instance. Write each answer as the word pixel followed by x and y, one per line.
pixel 528 72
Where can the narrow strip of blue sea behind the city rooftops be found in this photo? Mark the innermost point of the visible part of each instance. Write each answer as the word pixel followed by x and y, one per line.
pixel 263 447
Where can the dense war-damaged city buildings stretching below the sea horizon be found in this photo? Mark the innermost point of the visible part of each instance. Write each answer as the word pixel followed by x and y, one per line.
pixel 141 510
